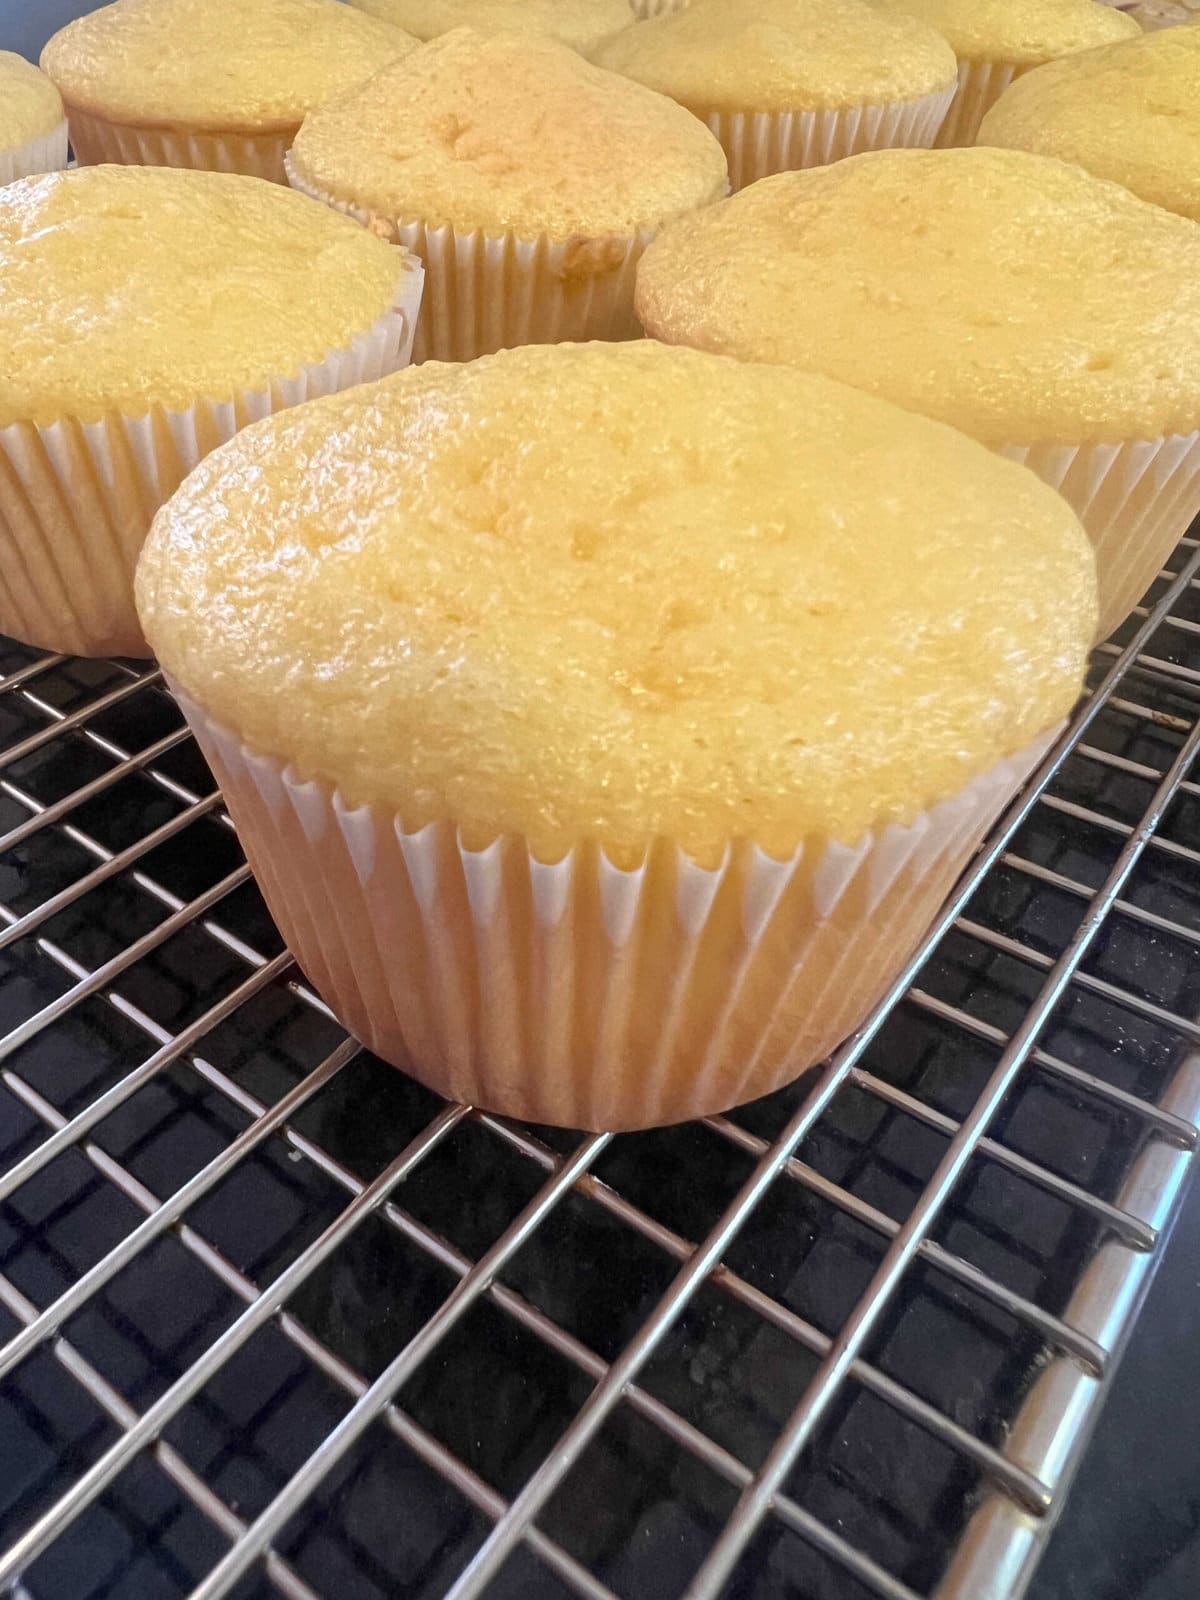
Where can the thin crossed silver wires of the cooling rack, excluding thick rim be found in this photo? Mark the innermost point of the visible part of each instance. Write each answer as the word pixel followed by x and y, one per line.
pixel 841 1356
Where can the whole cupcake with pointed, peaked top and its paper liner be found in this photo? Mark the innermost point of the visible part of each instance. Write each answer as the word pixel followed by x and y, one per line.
pixel 527 180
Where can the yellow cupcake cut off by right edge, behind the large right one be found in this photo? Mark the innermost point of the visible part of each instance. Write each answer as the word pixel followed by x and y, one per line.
pixel 1130 113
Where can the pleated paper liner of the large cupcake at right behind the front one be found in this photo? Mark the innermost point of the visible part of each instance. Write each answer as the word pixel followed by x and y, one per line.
pixel 1137 500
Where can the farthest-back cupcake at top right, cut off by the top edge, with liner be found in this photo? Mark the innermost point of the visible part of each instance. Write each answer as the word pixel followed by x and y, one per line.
pixel 998 41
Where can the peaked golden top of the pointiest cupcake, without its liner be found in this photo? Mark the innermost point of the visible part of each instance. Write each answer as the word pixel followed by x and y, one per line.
pixel 508 132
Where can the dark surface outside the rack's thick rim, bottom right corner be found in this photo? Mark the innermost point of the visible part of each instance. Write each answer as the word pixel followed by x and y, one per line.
pixel 1132 1524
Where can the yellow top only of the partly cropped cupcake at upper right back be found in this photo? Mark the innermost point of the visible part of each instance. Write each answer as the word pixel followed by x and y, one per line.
pixel 1018 31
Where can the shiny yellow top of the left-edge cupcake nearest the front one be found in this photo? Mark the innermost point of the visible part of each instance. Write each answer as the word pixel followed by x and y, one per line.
pixel 132 287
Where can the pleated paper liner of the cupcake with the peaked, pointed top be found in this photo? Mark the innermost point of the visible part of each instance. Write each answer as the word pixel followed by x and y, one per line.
pixel 492 292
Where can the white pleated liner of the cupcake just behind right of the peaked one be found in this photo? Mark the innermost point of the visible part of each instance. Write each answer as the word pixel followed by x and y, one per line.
pixel 761 143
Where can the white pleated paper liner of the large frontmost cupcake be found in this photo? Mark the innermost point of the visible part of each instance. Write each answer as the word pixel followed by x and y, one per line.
pixel 580 993
